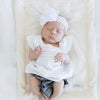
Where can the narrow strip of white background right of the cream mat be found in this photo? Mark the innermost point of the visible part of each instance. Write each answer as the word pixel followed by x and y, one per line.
pixel 97 30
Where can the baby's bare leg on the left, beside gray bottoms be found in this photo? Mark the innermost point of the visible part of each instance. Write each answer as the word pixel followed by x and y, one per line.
pixel 34 86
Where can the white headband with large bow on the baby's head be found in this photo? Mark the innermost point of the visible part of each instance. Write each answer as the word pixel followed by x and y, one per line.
pixel 50 15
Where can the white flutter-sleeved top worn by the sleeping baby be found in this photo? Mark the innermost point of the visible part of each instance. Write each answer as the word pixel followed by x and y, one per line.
pixel 45 64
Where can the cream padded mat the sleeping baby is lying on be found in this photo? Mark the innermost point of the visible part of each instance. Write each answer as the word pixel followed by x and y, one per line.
pixel 79 13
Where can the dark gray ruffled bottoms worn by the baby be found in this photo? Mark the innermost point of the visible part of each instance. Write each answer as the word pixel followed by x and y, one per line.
pixel 46 86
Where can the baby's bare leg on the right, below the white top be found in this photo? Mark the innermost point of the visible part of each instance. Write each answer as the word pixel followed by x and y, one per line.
pixel 58 90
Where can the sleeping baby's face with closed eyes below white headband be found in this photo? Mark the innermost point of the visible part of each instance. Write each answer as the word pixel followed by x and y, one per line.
pixel 53 32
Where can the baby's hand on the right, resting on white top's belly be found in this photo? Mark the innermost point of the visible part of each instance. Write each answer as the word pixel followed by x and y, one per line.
pixel 63 58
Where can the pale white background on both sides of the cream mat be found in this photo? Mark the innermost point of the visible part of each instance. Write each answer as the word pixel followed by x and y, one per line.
pixel 8 72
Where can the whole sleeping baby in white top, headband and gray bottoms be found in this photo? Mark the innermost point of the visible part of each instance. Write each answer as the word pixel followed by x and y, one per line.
pixel 50 66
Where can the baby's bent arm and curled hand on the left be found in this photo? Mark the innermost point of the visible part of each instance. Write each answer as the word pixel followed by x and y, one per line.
pixel 34 53
